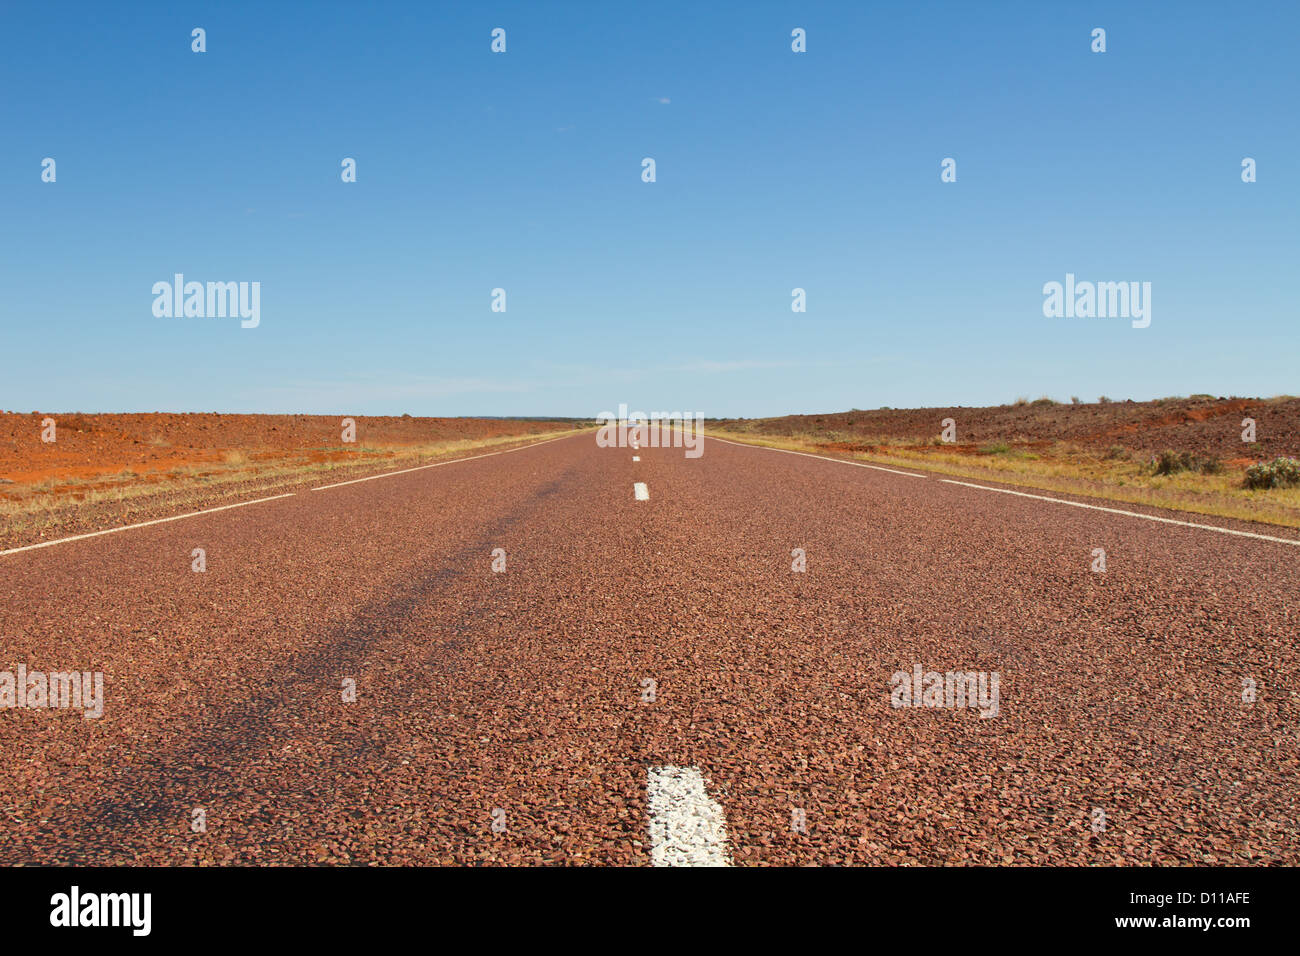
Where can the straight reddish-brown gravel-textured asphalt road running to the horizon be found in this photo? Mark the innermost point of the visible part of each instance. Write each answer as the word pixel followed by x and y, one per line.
pixel 649 681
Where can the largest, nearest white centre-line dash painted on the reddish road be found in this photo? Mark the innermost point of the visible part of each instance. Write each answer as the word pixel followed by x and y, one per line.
pixel 687 827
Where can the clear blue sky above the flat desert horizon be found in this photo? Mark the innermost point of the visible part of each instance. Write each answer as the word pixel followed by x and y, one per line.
pixel 523 171
